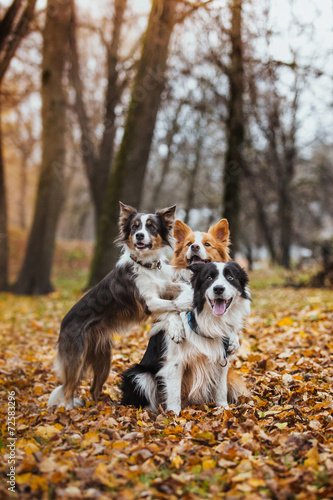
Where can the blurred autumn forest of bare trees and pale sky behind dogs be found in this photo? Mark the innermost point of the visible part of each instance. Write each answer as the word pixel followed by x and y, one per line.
pixel 221 106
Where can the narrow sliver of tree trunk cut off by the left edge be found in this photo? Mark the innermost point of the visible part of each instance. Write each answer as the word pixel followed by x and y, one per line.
pixel 3 224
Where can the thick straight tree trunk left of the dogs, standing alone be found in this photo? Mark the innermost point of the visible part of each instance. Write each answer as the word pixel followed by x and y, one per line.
pixel 34 277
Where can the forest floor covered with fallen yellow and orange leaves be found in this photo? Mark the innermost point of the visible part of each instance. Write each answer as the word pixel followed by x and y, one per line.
pixel 277 444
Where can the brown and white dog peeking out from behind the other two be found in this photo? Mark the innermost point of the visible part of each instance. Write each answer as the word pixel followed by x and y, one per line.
pixel 193 247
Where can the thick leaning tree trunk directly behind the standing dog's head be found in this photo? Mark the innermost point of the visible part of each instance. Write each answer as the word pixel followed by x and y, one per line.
pixel 127 178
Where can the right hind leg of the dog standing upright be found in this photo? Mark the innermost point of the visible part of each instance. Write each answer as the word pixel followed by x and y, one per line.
pixel 101 364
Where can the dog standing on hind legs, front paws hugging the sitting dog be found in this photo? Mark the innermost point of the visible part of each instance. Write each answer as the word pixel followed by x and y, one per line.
pixel 139 285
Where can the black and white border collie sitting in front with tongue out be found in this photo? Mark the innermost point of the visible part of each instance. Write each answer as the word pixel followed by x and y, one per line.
pixel 195 371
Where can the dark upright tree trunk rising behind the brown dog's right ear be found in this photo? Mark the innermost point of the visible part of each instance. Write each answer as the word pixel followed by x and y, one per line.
pixel 235 128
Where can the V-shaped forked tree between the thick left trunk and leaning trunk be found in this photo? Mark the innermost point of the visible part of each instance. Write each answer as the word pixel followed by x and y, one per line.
pixel 98 161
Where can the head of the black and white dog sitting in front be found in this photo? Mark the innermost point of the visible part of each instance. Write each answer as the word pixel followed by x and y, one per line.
pixel 219 285
